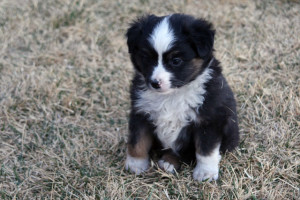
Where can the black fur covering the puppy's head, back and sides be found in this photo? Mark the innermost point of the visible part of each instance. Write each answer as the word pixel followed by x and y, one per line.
pixel 217 118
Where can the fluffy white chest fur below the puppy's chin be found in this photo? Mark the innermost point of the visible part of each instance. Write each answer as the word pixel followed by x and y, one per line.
pixel 173 111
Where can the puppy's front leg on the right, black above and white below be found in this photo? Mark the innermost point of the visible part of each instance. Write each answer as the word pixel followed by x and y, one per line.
pixel 207 155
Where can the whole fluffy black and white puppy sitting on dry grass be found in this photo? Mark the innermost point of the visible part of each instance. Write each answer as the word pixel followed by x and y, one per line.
pixel 179 96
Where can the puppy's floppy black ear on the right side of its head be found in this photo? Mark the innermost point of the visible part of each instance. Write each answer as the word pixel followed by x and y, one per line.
pixel 202 36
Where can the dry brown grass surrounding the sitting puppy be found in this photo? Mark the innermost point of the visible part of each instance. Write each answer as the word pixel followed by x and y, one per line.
pixel 64 80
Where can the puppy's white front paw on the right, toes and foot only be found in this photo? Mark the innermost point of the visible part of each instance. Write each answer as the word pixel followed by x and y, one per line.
pixel 205 172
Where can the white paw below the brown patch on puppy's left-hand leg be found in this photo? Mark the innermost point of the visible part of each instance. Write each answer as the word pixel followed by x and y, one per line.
pixel 136 165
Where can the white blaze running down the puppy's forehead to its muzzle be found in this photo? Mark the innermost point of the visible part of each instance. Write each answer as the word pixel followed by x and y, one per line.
pixel 162 39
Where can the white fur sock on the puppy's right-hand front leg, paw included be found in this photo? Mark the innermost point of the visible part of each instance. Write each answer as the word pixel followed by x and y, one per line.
pixel 207 166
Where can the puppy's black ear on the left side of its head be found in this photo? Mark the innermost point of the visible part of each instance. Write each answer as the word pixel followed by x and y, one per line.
pixel 133 33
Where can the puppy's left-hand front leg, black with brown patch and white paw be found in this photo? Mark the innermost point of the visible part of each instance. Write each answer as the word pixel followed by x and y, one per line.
pixel 139 144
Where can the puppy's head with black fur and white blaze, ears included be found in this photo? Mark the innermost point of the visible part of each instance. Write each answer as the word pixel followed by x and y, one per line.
pixel 170 51
